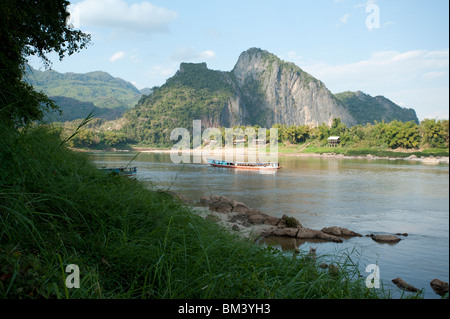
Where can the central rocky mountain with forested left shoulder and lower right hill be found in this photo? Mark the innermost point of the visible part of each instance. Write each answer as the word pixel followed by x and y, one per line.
pixel 261 90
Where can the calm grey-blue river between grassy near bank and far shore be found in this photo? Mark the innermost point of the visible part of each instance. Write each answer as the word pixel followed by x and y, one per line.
pixel 366 196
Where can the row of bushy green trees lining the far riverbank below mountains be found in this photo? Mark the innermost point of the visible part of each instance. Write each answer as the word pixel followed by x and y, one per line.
pixel 393 135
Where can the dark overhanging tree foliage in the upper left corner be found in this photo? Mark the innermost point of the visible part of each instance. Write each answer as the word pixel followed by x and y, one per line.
pixel 31 27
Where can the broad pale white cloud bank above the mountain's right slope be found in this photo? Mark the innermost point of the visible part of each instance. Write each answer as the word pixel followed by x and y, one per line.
pixel 417 78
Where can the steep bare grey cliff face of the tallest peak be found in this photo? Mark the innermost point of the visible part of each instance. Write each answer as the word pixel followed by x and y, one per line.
pixel 275 91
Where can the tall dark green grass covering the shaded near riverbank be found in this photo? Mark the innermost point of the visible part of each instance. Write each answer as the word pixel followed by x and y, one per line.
pixel 57 209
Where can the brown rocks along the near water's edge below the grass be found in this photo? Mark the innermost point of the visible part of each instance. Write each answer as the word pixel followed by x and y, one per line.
pixel 255 225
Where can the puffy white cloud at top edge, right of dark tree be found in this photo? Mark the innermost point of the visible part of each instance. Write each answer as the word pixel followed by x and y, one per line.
pixel 118 14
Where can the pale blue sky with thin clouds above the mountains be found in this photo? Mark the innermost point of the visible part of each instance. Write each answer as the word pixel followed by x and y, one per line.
pixel 395 48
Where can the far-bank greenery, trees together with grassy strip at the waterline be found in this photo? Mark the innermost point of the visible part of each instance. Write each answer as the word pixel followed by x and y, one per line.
pixel 394 139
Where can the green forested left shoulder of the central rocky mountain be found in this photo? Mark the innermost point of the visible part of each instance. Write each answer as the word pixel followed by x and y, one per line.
pixel 195 92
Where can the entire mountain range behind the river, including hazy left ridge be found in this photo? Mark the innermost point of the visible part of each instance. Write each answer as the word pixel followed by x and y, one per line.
pixel 261 90
